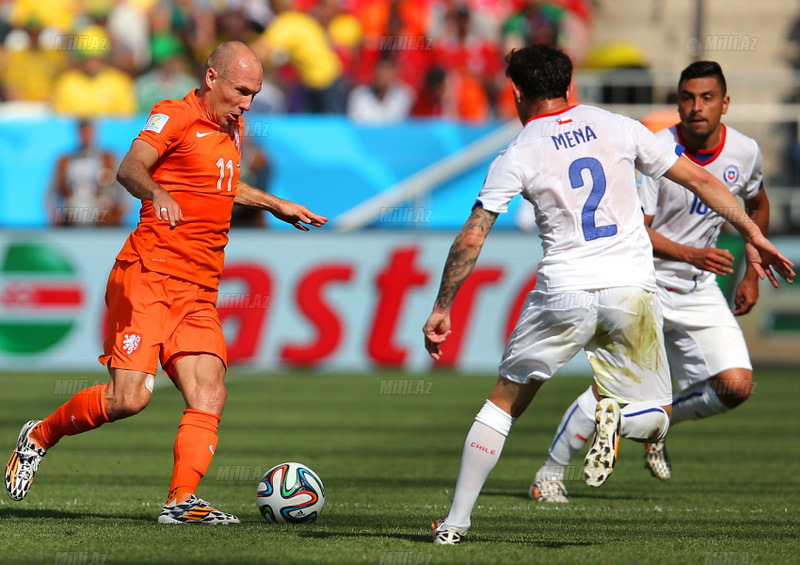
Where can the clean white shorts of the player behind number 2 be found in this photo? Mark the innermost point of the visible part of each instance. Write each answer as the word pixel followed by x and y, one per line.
pixel 701 335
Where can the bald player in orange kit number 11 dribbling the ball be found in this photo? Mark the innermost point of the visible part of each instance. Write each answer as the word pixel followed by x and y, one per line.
pixel 161 293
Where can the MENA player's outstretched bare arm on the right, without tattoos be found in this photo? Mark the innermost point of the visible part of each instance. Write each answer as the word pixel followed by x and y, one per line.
pixel 764 257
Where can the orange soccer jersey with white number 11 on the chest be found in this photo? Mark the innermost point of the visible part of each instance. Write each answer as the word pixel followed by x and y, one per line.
pixel 199 167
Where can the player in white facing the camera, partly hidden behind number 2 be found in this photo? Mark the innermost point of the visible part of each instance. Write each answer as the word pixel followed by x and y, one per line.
pixel 706 350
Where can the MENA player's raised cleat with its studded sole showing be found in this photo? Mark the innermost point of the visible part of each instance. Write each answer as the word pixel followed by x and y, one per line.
pixel 602 456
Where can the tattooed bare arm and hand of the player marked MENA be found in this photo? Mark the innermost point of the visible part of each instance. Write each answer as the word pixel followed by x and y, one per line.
pixel 460 261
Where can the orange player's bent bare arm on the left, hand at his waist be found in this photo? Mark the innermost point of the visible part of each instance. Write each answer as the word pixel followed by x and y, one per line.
pixel 134 175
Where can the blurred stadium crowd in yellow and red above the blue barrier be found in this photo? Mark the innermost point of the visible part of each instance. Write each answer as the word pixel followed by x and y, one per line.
pixel 374 60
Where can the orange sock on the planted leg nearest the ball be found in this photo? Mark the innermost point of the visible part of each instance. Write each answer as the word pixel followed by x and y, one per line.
pixel 194 449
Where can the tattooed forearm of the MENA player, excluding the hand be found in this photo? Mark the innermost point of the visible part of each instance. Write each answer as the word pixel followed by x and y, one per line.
pixel 464 254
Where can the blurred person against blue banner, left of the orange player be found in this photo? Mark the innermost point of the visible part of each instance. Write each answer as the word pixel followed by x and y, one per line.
pixel 84 191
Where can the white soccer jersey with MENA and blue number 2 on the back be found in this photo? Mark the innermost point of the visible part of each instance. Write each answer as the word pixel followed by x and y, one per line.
pixel 576 167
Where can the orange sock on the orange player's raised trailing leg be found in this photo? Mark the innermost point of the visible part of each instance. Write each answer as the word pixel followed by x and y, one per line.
pixel 83 412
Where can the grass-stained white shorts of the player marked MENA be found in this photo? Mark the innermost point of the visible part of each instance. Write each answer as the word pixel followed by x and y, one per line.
pixel 619 328
